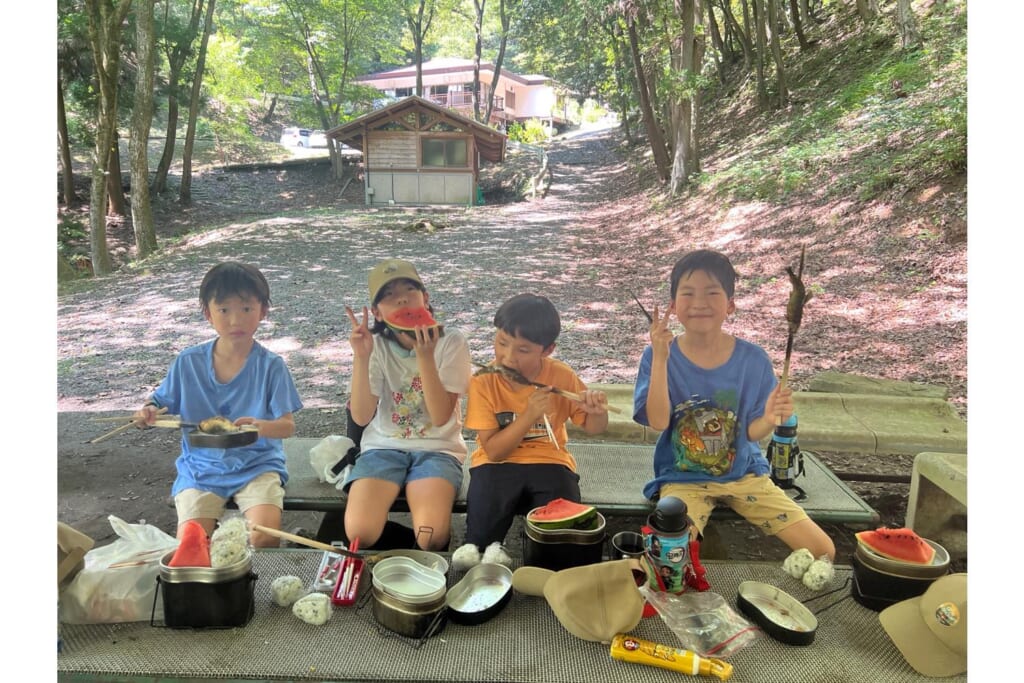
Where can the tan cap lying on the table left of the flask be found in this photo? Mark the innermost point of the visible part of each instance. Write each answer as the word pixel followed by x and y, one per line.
pixel 593 603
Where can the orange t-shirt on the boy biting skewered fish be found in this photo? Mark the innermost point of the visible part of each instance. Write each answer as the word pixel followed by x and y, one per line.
pixel 494 401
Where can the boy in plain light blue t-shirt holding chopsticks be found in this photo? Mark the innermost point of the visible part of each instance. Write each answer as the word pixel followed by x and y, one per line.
pixel 236 377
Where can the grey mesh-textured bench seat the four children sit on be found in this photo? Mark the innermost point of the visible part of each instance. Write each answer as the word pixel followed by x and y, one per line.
pixel 612 479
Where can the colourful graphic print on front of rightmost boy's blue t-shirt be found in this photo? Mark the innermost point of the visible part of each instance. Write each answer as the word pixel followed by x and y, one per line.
pixel 703 438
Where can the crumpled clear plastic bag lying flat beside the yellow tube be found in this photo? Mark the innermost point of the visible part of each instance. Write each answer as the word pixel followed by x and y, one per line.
pixel 704 622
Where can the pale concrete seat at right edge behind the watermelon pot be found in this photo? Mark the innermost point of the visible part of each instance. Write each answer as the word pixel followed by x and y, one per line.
pixel 937 507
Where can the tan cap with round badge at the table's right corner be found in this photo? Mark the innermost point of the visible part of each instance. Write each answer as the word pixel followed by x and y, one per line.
pixel 931 630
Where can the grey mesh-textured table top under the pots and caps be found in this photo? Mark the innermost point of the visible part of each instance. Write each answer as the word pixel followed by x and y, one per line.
pixel 524 643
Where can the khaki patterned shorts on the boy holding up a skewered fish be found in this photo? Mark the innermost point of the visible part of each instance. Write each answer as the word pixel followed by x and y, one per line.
pixel 756 498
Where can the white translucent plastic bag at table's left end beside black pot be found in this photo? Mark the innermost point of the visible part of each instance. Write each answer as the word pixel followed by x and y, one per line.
pixel 119 581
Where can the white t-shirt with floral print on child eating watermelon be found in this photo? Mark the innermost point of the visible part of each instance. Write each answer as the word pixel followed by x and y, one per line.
pixel 402 421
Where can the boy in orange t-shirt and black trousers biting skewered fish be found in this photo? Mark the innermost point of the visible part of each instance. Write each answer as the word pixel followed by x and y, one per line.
pixel 522 460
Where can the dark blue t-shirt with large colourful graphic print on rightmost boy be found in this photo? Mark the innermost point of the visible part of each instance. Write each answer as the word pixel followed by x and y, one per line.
pixel 711 411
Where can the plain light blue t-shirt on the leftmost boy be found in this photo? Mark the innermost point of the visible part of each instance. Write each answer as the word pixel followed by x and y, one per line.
pixel 263 390
